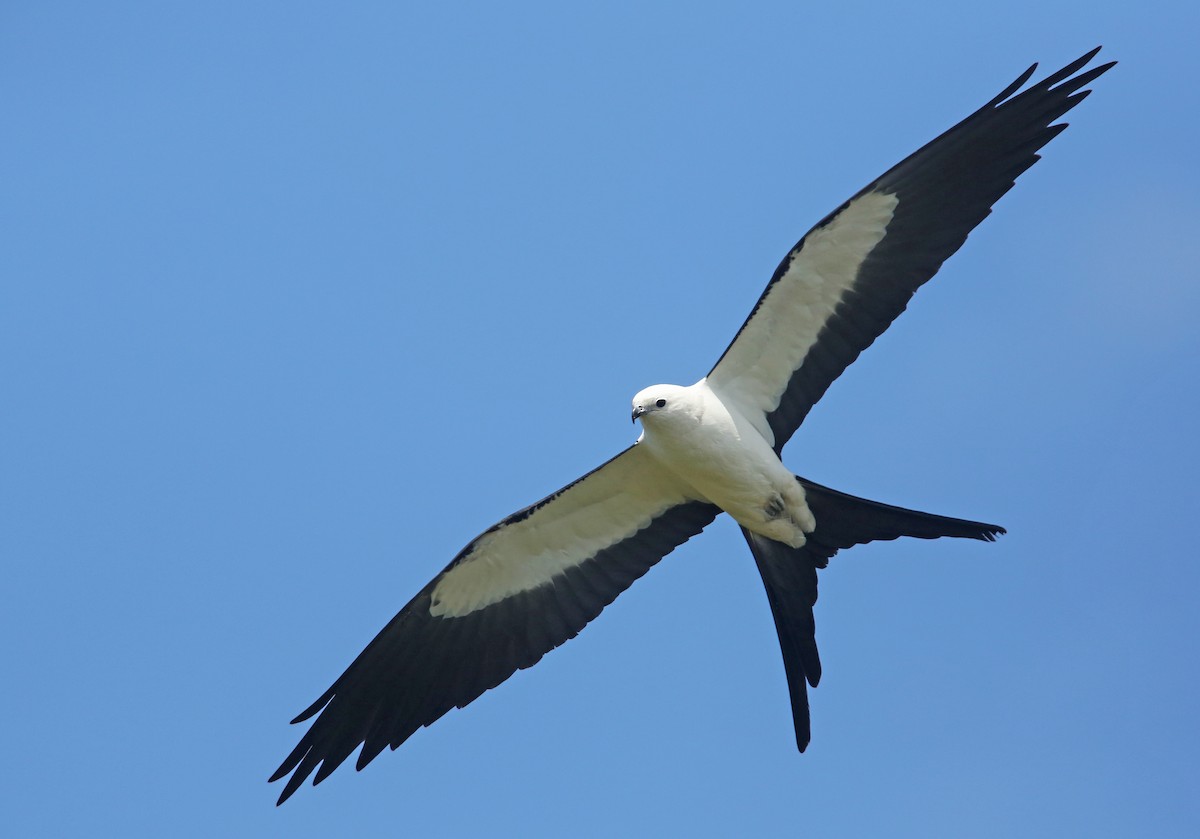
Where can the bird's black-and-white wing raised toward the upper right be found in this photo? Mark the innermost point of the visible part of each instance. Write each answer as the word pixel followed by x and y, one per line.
pixel 854 273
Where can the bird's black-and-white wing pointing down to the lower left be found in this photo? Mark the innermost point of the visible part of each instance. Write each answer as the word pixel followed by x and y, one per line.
pixel 517 592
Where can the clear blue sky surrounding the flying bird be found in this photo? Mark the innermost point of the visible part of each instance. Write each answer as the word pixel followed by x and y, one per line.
pixel 299 298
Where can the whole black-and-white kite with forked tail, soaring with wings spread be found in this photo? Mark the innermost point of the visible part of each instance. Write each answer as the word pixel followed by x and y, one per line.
pixel 535 580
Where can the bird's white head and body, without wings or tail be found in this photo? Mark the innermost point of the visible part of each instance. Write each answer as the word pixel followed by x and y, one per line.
pixel 723 459
